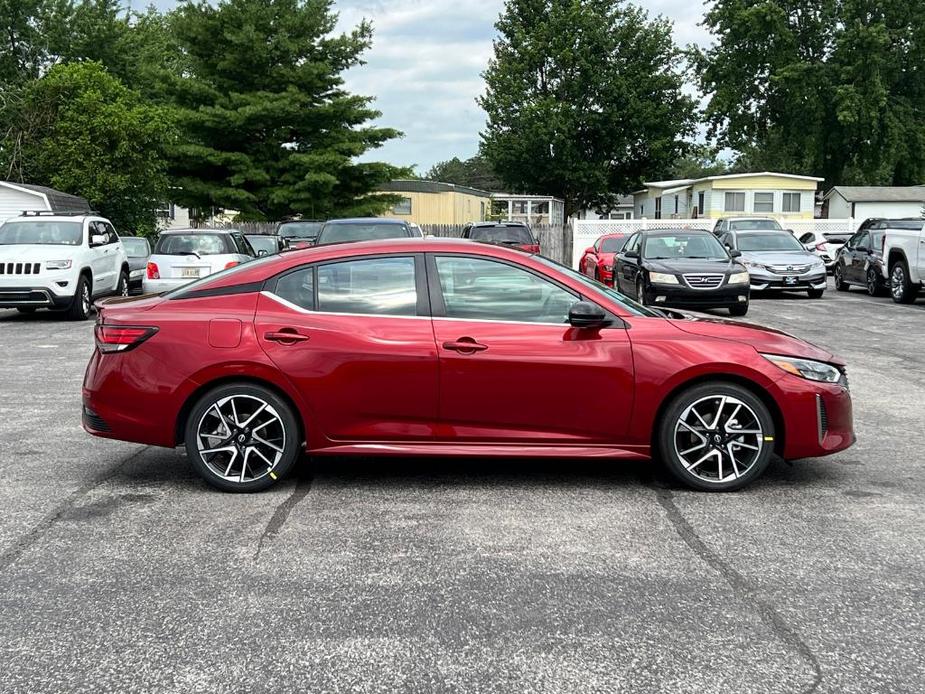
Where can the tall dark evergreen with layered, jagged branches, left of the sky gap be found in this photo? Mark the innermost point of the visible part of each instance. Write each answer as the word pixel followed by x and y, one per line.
pixel 269 129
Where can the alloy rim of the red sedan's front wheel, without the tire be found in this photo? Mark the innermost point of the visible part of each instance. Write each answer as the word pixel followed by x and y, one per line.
pixel 718 438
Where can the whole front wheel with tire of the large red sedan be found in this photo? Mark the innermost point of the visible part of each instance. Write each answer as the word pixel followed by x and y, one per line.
pixel 716 437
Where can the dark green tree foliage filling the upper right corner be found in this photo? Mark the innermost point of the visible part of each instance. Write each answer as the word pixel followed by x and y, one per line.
pixel 832 88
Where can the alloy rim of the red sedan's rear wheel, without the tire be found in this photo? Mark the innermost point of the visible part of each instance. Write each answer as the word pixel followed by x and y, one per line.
pixel 241 438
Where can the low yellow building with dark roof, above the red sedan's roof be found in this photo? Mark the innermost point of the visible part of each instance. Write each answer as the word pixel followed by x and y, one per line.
pixel 430 202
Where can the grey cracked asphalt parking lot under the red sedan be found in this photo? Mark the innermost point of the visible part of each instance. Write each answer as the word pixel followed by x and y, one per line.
pixel 120 571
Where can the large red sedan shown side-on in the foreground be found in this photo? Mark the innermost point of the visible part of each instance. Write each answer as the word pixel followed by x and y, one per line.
pixel 449 347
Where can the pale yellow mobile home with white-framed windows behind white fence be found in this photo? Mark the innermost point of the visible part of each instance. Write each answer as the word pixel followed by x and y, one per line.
pixel 784 196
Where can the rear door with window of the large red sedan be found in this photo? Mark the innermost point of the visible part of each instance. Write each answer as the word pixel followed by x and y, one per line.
pixel 355 338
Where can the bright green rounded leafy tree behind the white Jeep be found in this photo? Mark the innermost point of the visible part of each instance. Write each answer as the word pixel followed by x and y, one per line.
pixel 85 133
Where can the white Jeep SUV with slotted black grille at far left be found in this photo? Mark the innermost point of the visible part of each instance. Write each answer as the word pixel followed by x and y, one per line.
pixel 61 262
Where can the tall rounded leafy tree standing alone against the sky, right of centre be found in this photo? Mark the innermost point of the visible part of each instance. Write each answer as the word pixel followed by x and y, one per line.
pixel 583 99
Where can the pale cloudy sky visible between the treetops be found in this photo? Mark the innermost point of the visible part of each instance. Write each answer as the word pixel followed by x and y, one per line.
pixel 425 64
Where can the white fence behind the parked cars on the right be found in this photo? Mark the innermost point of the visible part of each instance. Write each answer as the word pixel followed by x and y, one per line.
pixel 585 231
